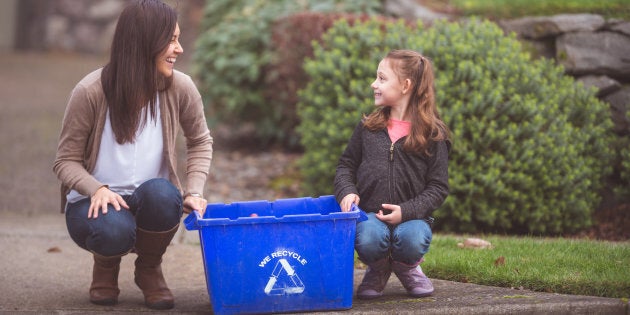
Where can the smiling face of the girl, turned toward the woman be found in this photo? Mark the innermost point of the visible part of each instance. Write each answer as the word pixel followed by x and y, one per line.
pixel 388 90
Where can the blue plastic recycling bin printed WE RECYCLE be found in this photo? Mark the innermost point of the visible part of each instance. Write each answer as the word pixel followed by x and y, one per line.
pixel 288 255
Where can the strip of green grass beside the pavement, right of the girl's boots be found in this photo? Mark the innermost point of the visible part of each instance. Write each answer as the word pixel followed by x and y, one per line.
pixel 568 266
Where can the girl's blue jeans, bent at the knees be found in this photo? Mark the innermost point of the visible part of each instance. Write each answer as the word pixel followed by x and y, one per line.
pixel 407 242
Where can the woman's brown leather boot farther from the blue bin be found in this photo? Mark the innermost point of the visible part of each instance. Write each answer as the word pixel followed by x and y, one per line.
pixel 104 289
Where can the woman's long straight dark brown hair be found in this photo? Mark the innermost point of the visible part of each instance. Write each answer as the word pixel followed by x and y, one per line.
pixel 131 80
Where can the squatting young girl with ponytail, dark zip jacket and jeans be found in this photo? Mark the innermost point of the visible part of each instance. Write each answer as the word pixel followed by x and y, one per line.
pixel 395 167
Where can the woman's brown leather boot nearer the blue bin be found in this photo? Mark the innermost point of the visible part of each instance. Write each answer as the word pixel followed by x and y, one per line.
pixel 150 246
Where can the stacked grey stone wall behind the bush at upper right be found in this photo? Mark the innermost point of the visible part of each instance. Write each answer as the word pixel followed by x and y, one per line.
pixel 592 49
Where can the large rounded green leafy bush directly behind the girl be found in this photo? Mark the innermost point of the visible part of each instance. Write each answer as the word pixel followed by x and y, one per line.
pixel 530 145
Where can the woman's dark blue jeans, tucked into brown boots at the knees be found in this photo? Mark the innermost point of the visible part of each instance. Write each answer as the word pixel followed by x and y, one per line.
pixel 155 206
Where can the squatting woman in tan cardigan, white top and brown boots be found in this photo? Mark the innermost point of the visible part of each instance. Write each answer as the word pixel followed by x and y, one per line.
pixel 116 157
